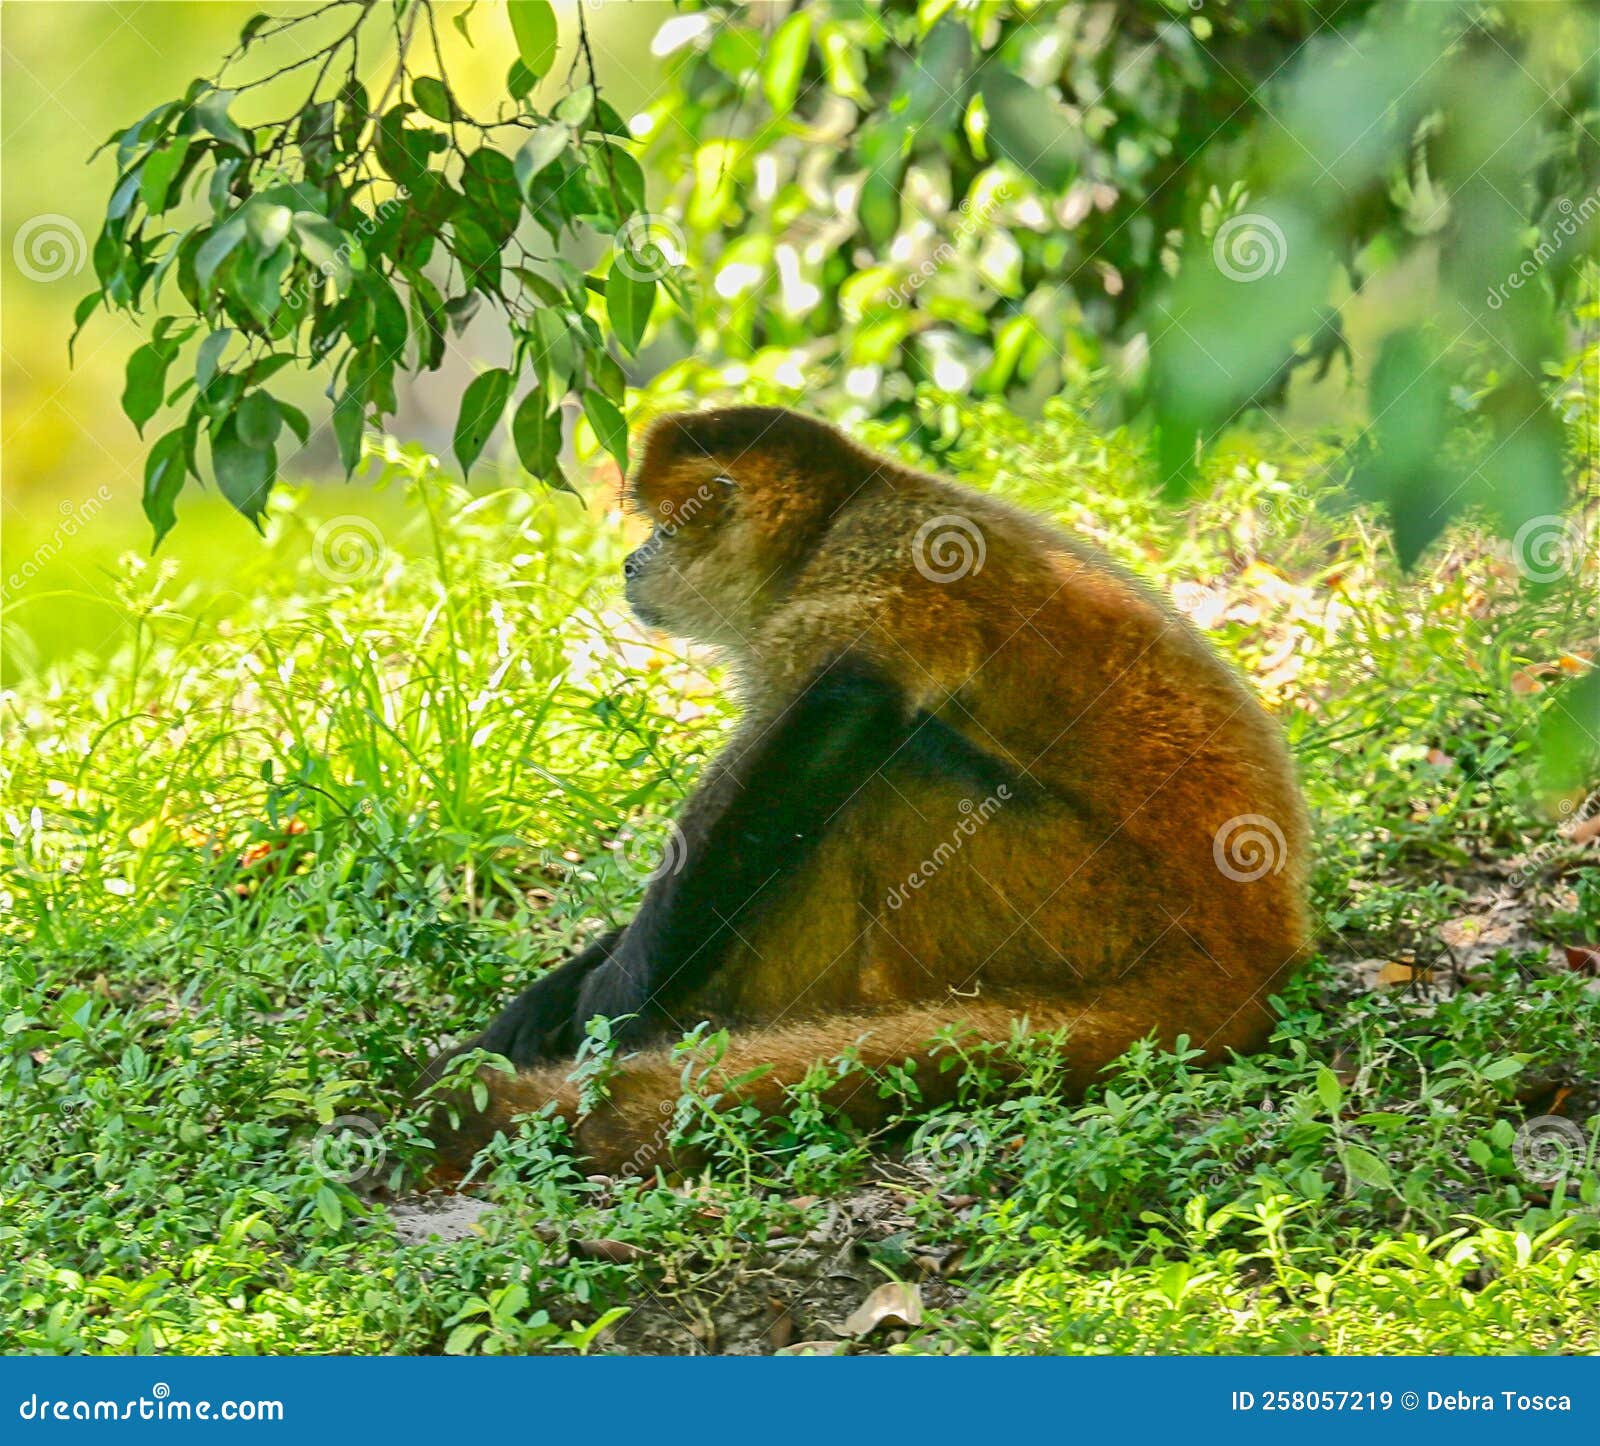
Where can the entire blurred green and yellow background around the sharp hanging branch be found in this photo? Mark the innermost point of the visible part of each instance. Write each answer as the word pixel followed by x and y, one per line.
pixel 985 199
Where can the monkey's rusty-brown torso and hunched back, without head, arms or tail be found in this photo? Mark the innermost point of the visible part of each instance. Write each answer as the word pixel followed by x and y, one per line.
pixel 1154 831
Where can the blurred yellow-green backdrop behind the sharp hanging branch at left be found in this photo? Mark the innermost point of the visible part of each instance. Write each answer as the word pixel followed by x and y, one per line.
pixel 74 74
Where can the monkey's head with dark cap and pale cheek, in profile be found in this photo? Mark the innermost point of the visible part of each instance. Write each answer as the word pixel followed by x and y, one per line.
pixel 737 500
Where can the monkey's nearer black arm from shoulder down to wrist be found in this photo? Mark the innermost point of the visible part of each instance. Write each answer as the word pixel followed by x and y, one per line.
pixel 748 833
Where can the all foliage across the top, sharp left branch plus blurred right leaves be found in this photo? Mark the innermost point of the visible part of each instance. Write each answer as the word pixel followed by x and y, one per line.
pixel 1177 204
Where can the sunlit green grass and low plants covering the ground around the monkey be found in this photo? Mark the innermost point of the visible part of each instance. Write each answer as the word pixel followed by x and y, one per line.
pixel 282 844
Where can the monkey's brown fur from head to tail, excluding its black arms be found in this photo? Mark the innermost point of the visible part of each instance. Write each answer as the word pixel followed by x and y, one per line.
pixel 1097 908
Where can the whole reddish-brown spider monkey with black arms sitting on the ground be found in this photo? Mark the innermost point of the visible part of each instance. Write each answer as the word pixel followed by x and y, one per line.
pixel 983 778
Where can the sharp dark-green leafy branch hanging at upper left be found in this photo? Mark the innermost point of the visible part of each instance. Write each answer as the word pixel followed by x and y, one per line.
pixel 356 238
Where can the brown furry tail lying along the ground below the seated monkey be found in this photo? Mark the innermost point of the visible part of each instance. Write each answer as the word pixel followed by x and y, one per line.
pixel 630 1130
